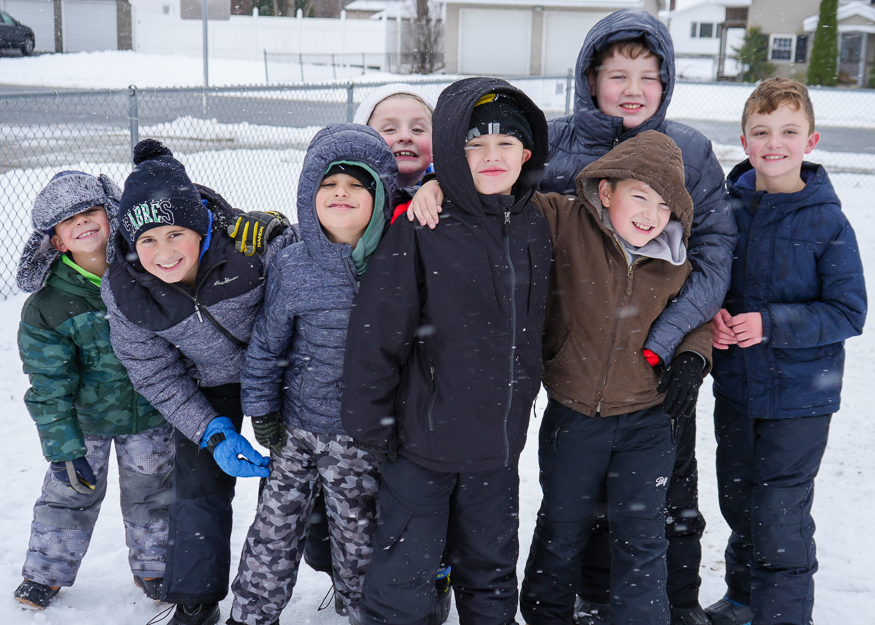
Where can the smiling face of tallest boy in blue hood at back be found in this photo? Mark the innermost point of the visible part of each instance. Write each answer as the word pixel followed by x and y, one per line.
pixel 627 88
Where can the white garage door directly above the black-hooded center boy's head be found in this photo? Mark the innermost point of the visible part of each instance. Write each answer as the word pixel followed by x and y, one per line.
pixel 495 43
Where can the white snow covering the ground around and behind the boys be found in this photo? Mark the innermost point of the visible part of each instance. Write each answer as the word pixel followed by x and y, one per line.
pixel 104 593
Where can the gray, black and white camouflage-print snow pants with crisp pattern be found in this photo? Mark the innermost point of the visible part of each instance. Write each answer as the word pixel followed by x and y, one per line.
pixel 275 542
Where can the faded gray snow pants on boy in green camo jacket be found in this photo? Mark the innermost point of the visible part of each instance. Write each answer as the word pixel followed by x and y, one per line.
pixel 63 520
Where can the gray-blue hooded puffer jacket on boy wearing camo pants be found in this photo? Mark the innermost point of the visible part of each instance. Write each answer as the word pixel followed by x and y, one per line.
pixel 294 363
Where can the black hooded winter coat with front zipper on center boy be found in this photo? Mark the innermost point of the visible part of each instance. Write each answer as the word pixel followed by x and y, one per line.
pixel 443 358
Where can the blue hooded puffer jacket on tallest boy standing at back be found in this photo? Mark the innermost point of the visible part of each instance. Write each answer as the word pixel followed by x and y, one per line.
pixel 588 134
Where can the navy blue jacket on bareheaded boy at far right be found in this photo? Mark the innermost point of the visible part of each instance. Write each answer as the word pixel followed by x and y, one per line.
pixel 798 265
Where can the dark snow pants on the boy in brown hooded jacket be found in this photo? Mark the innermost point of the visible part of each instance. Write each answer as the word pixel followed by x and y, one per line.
pixel 585 461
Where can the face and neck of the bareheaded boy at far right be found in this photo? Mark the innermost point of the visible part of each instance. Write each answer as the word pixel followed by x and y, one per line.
pixel 776 144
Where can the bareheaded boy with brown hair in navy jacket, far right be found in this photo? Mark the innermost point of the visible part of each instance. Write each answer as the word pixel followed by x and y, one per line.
pixel 797 292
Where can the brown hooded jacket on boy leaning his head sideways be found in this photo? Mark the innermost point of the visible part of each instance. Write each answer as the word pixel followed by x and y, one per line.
pixel 600 307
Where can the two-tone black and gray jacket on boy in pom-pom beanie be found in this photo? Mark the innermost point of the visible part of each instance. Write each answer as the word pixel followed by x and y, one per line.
pixel 162 334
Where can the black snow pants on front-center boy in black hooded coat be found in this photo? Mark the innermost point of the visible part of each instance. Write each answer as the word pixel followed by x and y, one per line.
pixel 477 516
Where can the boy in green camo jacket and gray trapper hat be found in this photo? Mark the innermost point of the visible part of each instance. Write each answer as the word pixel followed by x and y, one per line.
pixel 81 398
